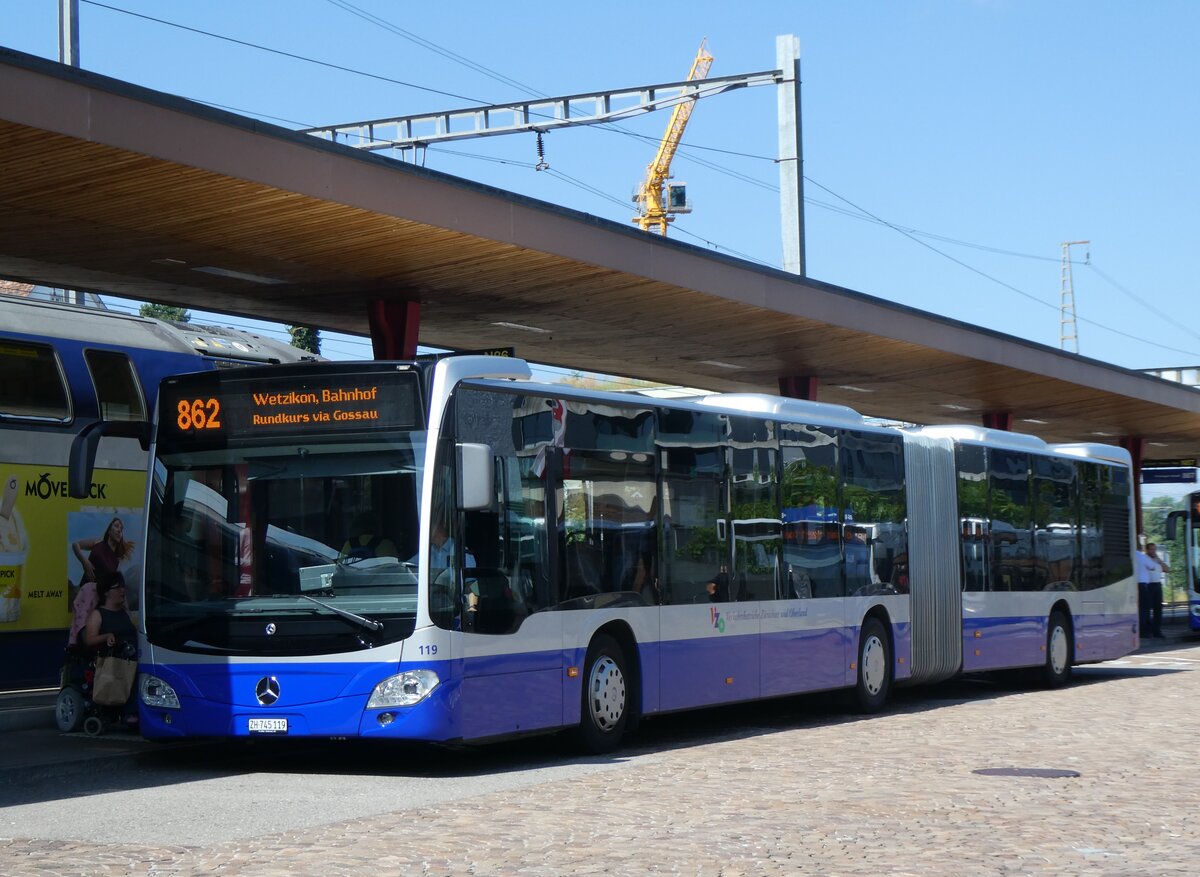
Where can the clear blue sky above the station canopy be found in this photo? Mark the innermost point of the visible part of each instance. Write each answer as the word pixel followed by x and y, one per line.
pixel 992 131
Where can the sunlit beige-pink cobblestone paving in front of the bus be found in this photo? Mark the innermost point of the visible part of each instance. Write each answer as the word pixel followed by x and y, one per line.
pixel 821 795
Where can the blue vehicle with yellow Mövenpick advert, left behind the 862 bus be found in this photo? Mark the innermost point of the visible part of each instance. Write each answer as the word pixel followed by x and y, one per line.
pixel 62 368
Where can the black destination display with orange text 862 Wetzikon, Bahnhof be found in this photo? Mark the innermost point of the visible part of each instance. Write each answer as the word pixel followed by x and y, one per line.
pixel 227 410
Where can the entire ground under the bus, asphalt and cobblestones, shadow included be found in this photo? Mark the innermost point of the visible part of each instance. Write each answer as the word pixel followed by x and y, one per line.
pixel 265 808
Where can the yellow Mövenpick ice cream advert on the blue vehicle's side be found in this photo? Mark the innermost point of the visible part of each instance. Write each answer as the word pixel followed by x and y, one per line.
pixel 49 540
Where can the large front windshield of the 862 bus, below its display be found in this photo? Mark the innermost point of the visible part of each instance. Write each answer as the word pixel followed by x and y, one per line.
pixel 285 549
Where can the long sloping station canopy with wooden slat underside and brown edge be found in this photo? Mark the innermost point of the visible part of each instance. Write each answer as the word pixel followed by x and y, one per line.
pixel 115 189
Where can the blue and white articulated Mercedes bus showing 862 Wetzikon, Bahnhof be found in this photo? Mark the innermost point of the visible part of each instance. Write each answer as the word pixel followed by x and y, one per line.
pixel 551 554
